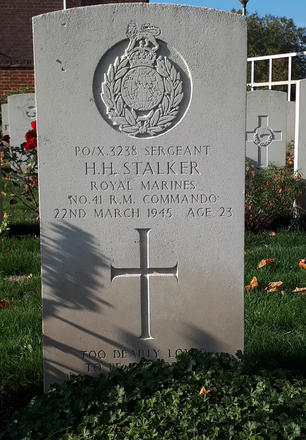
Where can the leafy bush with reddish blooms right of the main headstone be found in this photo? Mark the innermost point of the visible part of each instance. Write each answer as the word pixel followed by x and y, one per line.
pixel 269 197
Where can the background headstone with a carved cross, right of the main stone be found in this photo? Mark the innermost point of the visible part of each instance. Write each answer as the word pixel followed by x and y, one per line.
pixel 266 130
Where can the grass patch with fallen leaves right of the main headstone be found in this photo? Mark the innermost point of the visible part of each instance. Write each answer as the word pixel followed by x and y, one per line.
pixel 275 324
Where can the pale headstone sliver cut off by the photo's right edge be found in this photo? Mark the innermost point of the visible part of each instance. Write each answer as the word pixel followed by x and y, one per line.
pixel 300 141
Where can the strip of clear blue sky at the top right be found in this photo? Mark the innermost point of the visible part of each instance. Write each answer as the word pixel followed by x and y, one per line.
pixel 295 9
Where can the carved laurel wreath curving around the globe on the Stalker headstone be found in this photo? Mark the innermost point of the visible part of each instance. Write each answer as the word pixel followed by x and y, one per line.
pixel 157 120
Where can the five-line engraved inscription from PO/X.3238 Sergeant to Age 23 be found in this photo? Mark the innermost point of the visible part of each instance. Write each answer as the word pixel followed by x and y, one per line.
pixel 140 188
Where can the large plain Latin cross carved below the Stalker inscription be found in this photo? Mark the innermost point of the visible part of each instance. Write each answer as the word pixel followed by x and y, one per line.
pixel 145 272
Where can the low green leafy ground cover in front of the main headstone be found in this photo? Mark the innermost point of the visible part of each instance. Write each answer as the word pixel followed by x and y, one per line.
pixel 153 400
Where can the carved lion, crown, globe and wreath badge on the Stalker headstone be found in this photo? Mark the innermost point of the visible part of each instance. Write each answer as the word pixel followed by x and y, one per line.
pixel 142 91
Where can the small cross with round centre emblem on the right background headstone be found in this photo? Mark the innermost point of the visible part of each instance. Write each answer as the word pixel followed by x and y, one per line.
pixel 263 136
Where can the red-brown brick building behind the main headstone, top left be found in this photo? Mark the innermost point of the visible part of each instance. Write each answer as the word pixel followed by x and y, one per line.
pixel 16 49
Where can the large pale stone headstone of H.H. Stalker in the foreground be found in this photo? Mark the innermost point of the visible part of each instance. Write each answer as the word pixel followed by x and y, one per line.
pixel 141 156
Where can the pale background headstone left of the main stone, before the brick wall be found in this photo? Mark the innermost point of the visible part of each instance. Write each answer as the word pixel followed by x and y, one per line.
pixel 22 111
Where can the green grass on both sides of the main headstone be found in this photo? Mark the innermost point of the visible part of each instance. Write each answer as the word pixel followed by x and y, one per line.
pixel 275 324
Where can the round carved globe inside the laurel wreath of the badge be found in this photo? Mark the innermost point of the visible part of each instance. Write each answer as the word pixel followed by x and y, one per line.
pixel 142 88
